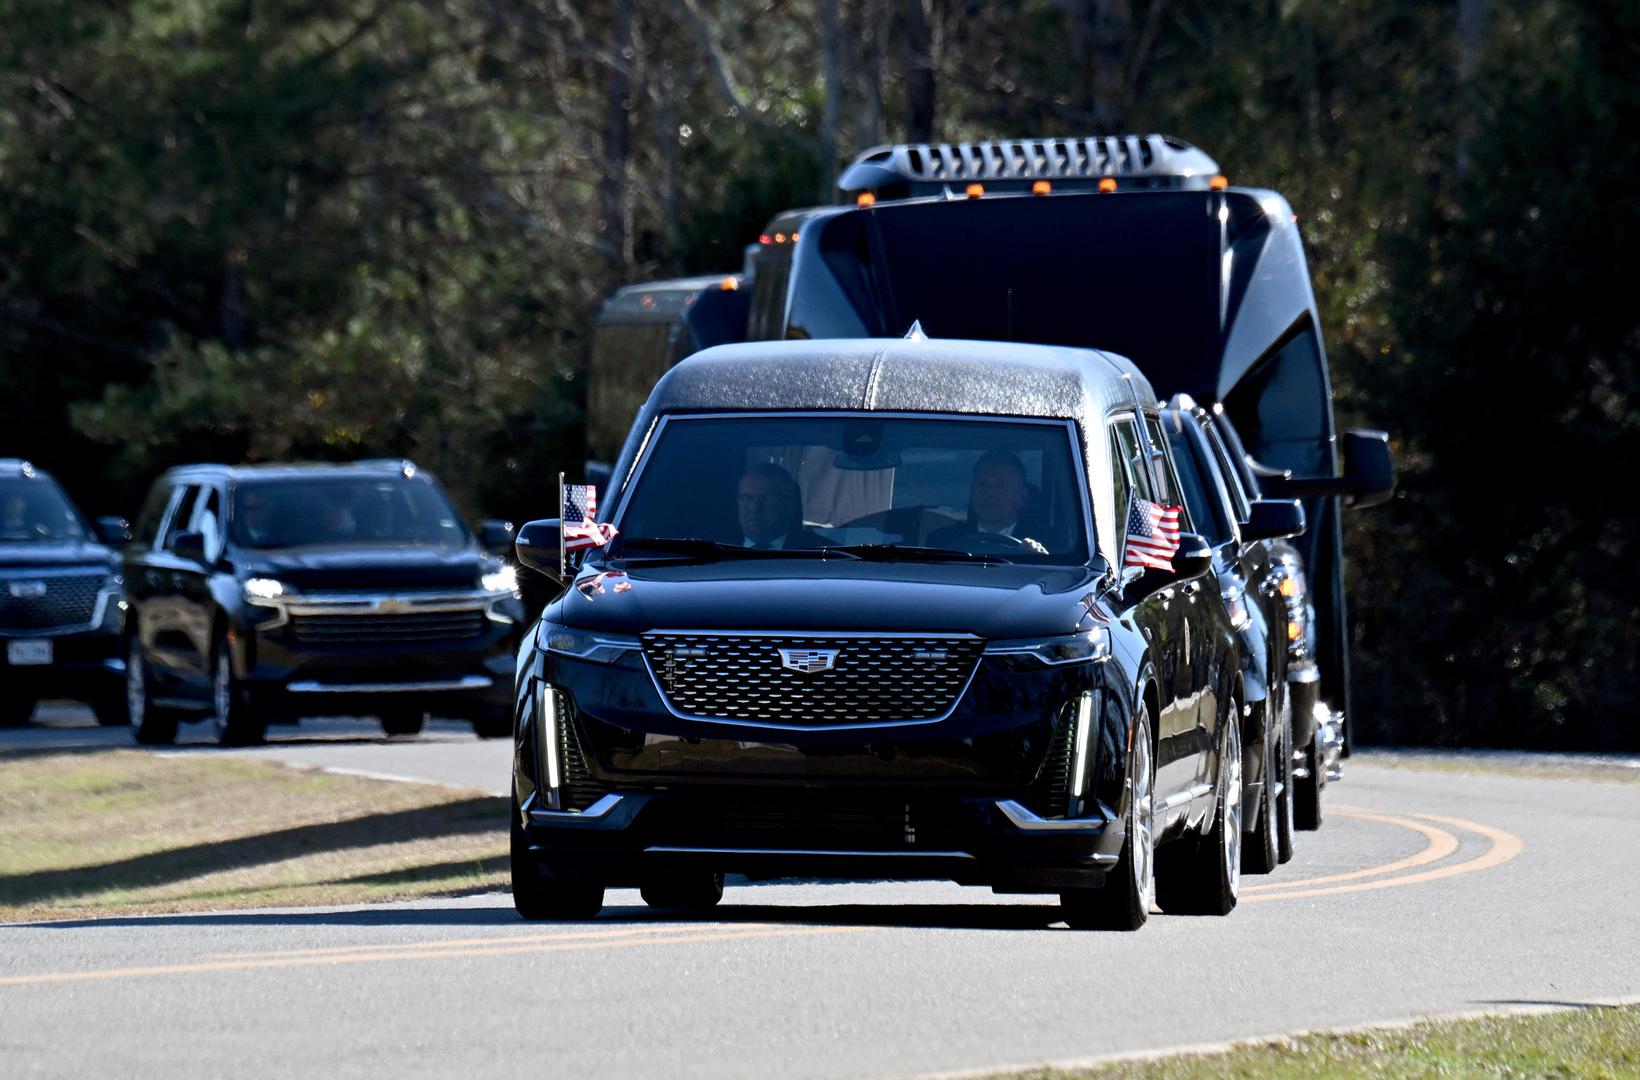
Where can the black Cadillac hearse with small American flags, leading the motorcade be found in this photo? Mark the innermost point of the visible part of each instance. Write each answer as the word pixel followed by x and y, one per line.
pixel 868 615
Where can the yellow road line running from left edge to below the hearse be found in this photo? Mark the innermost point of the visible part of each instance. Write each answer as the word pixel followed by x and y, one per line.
pixel 416 953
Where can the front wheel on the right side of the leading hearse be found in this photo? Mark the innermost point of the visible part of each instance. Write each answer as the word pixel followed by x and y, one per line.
pixel 1124 901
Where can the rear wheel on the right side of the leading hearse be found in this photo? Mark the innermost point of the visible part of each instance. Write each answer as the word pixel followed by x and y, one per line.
pixel 1205 878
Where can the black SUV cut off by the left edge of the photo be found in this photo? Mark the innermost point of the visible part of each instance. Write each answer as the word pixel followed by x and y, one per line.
pixel 60 601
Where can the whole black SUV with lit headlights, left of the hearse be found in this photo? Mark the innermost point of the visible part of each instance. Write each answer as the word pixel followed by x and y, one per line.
pixel 298 591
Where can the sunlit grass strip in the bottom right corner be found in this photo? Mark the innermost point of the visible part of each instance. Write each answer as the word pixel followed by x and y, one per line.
pixel 1601 1043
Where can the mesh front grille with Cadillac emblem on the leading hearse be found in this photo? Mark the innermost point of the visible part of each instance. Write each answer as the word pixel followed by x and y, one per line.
pixel 742 678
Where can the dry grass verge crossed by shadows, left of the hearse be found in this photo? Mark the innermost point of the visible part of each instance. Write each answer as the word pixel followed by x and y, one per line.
pixel 129 832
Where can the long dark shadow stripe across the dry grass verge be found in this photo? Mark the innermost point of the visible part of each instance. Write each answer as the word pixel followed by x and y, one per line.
pixel 470 817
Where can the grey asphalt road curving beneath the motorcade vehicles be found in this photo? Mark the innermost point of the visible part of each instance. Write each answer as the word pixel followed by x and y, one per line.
pixel 1424 894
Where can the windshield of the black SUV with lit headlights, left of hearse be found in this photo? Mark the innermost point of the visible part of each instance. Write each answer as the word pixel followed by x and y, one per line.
pixel 335 511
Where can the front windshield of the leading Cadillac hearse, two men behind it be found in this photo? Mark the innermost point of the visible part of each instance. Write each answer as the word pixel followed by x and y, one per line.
pixel 888 484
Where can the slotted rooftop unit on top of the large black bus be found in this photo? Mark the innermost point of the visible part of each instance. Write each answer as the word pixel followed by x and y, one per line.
pixel 1162 160
